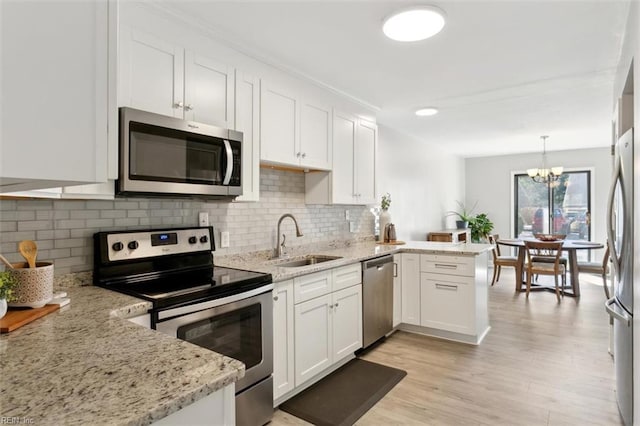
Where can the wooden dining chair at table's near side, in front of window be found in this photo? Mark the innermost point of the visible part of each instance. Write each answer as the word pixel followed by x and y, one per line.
pixel 551 252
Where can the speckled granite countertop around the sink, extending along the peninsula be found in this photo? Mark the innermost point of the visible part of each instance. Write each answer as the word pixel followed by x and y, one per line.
pixel 349 254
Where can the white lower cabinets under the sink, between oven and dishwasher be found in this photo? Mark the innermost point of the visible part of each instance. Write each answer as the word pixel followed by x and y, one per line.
pixel 317 323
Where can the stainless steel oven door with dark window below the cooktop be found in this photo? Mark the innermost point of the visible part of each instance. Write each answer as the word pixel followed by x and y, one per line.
pixel 239 327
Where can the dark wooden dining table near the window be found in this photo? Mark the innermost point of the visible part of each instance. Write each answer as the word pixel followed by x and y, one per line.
pixel 570 246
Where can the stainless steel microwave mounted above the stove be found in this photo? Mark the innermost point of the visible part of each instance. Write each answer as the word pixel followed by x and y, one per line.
pixel 166 156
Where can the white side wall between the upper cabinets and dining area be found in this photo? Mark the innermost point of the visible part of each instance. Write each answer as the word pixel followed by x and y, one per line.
pixel 424 182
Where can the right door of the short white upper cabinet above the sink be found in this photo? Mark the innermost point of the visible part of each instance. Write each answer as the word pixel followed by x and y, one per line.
pixel 315 135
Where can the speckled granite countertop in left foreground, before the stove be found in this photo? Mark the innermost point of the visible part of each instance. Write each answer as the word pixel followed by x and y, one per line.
pixel 87 365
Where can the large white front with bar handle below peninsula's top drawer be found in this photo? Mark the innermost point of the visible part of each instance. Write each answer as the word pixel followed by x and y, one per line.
pixel 448 303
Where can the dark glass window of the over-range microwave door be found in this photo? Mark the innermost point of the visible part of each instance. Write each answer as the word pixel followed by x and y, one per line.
pixel 169 155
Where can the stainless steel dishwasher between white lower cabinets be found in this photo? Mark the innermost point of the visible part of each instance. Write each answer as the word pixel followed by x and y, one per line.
pixel 377 299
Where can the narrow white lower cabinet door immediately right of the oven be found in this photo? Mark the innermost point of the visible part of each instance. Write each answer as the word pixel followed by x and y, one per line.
pixel 283 351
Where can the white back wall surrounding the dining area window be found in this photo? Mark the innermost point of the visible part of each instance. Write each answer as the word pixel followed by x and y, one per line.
pixel 489 181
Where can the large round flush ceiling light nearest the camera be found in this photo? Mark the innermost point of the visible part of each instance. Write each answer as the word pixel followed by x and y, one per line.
pixel 416 23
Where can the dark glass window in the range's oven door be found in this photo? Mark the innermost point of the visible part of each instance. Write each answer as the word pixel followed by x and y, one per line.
pixel 236 334
